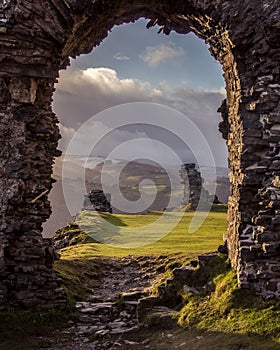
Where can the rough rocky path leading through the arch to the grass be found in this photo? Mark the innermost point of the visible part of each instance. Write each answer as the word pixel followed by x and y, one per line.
pixel 109 315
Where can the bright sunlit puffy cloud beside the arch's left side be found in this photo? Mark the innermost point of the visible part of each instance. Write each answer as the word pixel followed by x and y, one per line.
pixel 81 94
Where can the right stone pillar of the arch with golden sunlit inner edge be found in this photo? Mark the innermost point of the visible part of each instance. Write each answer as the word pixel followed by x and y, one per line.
pixel 253 216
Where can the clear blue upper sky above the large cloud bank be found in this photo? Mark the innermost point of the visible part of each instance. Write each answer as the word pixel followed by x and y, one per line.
pixel 123 48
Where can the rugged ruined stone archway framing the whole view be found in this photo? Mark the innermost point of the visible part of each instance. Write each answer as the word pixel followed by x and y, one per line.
pixel 38 37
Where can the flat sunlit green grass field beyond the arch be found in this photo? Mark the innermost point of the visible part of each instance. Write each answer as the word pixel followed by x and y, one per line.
pixel 177 241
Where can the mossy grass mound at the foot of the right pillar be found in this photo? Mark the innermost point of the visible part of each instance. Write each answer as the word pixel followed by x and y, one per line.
pixel 230 310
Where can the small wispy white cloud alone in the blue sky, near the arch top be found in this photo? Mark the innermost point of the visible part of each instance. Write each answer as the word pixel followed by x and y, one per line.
pixel 154 55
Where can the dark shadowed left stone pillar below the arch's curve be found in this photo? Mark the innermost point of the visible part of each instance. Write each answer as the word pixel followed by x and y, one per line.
pixel 28 144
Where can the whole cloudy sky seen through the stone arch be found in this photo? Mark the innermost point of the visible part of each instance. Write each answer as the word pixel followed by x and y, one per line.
pixel 135 64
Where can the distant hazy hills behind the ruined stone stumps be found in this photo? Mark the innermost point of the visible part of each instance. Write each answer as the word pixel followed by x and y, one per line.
pixel 131 175
